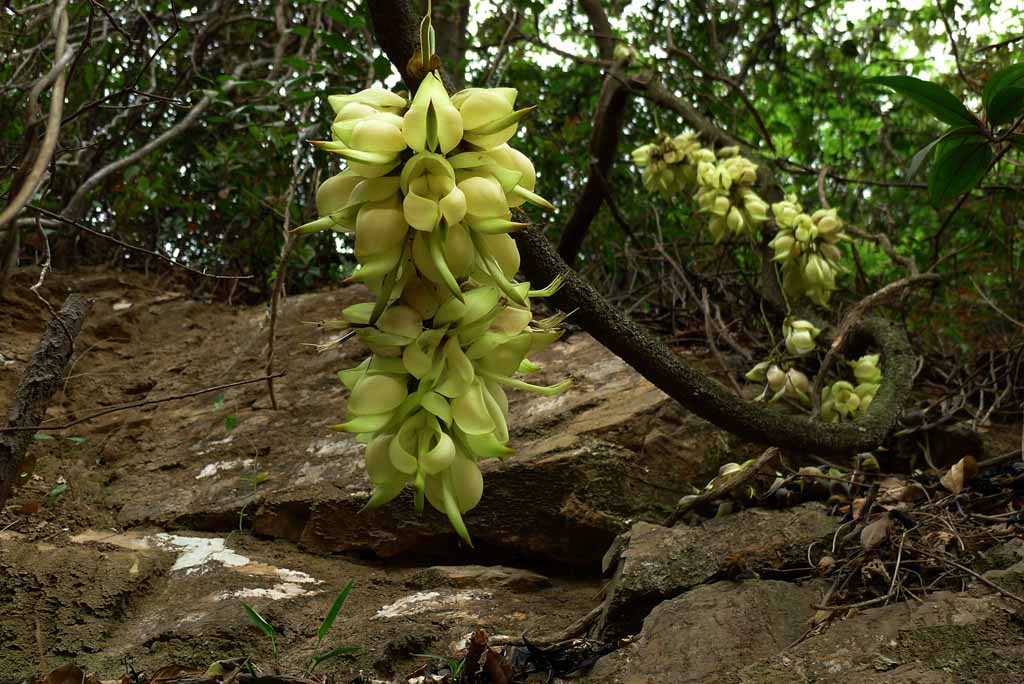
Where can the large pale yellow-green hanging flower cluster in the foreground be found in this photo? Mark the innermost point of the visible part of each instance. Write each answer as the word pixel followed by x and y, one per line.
pixel 429 193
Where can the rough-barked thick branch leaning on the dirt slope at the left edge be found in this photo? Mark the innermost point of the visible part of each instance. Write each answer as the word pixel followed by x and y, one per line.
pixel 44 377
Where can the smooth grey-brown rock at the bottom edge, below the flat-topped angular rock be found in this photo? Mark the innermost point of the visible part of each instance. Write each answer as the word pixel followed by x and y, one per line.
pixel 708 634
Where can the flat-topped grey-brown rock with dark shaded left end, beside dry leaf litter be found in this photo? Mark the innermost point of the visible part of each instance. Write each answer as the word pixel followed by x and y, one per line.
pixel 657 564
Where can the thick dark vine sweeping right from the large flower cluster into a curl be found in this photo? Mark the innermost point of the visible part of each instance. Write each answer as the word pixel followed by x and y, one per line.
pixel 659 364
